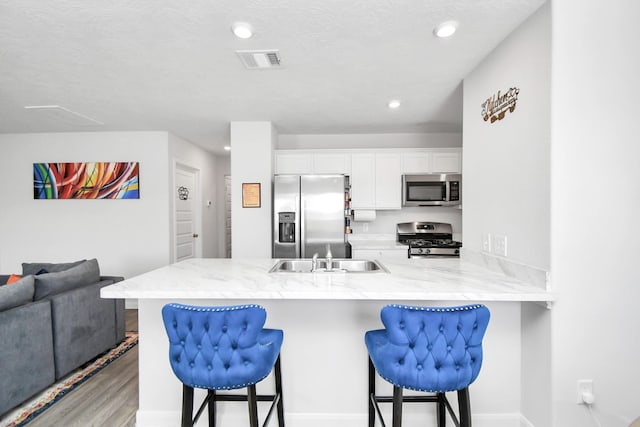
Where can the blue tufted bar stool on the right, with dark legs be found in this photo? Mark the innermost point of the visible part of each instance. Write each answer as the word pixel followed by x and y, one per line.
pixel 427 349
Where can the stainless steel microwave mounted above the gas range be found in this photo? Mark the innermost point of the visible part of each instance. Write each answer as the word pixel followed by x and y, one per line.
pixel 431 190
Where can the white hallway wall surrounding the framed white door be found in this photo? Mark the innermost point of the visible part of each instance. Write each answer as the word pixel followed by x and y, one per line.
pixel 205 162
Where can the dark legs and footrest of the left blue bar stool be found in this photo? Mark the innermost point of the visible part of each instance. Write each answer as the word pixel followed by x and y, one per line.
pixel 251 398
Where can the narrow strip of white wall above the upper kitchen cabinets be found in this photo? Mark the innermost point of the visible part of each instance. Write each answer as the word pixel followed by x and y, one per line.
pixel 383 140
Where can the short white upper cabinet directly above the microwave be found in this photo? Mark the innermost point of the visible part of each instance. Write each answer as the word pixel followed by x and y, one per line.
pixel 432 160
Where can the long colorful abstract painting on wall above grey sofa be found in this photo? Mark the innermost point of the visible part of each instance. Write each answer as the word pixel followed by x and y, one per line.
pixel 100 180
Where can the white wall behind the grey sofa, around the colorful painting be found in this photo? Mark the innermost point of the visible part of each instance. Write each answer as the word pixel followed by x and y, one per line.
pixel 127 237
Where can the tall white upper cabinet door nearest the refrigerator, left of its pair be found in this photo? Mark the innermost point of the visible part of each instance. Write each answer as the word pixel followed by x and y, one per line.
pixel 363 181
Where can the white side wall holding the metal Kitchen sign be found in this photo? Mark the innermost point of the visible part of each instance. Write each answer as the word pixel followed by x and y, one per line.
pixel 506 164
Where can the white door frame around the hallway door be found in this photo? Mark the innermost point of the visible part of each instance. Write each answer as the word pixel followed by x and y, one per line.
pixel 197 207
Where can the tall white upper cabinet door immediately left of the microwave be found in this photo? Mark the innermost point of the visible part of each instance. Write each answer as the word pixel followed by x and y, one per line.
pixel 388 183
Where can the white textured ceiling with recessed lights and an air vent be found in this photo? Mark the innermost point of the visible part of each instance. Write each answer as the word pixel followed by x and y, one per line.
pixel 171 65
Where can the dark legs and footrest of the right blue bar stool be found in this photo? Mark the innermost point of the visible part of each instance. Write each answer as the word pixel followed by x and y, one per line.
pixel 464 407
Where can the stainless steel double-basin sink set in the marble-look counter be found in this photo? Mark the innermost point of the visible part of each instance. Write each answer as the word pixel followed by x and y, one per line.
pixel 304 265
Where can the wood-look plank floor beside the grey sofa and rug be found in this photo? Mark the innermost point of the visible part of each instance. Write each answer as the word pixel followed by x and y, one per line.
pixel 108 399
